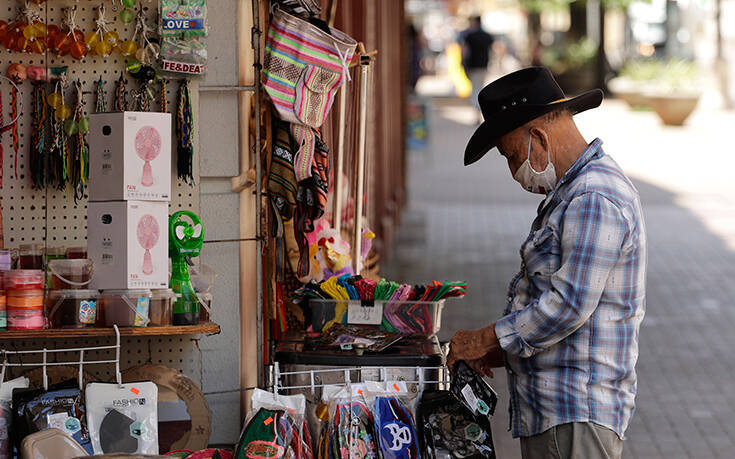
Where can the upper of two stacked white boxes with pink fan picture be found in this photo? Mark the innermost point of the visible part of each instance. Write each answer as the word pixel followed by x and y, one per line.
pixel 130 156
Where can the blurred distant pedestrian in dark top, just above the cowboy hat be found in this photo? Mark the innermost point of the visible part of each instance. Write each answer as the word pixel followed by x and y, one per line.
pixel 476 50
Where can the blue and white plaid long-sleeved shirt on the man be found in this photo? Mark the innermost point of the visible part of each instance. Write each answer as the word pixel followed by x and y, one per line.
pixel 570 329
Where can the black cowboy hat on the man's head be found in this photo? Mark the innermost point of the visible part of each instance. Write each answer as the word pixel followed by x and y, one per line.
pixel 515 99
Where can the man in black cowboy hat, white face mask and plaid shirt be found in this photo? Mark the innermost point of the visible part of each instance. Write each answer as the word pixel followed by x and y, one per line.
pixel 569 335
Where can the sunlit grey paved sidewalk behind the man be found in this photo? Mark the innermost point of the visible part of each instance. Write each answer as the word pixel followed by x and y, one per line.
pixel 468 223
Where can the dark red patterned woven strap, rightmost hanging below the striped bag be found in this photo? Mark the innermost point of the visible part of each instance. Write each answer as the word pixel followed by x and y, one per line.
pixel 311 201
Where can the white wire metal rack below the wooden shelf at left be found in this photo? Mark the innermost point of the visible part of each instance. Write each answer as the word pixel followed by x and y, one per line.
pixel 81 362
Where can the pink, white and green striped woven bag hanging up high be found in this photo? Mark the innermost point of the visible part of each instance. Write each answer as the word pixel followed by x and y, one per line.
pixel 303 68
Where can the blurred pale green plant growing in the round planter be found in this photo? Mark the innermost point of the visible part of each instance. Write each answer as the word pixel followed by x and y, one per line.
pixel 672 74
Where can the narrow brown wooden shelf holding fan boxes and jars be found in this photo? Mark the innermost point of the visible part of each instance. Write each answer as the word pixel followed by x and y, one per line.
pixel 209 328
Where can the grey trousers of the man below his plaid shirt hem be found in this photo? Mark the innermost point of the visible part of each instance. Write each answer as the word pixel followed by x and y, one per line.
pixel 576 440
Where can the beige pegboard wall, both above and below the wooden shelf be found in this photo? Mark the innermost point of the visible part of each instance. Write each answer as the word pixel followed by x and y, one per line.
pixel 51 216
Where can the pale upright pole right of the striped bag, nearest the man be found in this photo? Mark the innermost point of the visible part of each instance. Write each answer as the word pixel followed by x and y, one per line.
pixel 360 165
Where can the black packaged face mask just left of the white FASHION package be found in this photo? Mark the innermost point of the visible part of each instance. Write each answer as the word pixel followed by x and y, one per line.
pixel 60 407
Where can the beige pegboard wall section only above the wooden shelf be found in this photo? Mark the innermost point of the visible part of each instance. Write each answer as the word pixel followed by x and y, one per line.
pixel 23 208
